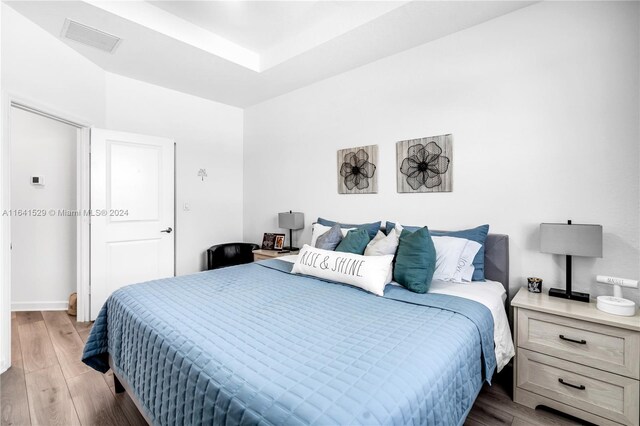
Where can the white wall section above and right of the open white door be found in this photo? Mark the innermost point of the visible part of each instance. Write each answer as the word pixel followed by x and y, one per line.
pixel 208 135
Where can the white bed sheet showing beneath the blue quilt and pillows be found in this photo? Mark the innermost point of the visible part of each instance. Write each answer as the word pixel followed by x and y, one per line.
pixel 491 294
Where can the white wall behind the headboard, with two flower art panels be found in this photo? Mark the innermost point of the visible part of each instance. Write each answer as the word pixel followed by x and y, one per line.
pixel 543 105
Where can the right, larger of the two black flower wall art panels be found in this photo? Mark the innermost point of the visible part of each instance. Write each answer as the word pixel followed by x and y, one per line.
pixel 424 165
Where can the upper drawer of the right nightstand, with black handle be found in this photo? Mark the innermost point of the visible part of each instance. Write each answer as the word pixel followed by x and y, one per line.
pixel 607 348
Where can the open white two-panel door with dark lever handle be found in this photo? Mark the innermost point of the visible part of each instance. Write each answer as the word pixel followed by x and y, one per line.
pixel 132 207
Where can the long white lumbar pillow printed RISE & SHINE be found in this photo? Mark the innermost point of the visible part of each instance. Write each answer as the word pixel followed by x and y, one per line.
pixel 369 273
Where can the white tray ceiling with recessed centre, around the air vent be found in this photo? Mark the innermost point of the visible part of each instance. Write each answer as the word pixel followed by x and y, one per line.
pixel 244 52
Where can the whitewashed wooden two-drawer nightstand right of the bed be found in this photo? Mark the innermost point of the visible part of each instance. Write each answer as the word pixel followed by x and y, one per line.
pixel 576 359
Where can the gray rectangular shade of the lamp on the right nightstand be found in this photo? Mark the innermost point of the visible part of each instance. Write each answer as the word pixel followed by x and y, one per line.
pixel 572 240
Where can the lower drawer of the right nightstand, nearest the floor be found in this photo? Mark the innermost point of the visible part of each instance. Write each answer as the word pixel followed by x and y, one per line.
pixel 604 394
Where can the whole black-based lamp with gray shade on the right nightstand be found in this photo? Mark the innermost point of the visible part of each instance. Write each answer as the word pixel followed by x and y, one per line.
pixel 570 240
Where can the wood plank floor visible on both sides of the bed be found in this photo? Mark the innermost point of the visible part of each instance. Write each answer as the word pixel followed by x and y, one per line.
pixel 47 383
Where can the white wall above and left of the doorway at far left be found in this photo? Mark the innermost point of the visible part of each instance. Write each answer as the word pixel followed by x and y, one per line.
pixel 46 73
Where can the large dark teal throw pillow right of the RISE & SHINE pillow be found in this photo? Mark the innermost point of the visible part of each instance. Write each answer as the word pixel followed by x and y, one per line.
pixel 415 260
